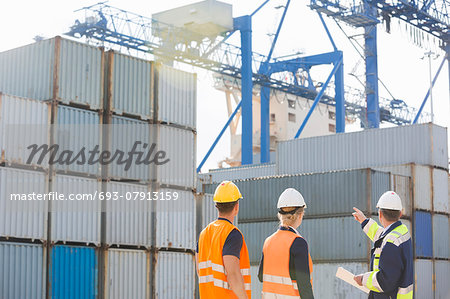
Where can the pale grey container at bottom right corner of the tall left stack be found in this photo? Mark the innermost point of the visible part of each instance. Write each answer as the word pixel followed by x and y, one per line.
pixel 175 275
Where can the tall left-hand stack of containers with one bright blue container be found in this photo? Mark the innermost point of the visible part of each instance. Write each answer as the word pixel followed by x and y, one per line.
pixel 137 222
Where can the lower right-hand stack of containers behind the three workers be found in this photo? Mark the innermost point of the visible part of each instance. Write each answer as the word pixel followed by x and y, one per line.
pixel 410 160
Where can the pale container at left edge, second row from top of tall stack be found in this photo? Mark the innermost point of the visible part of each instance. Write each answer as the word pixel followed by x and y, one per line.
pixel 23 122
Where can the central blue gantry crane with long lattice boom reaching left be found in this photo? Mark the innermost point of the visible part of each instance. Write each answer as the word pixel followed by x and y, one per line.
pixel 115 26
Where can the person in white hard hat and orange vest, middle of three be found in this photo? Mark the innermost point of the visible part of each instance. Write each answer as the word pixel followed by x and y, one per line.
pixel 286 266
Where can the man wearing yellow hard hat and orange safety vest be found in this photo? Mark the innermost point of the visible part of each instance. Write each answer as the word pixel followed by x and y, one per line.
pixel 223 264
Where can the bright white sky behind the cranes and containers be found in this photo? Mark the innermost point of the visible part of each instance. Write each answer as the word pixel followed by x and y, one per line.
pixel 400 65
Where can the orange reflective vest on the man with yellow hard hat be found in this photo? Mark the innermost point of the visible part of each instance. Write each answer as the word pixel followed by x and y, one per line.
pixel 213 281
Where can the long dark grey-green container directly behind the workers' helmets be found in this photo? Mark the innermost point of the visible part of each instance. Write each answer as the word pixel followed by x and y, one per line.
pixel 321 192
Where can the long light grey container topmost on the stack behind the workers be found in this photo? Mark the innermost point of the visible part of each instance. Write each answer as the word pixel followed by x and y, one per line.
pixel 422 144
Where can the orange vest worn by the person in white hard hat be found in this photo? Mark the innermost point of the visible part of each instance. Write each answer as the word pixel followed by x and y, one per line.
pixel 277 282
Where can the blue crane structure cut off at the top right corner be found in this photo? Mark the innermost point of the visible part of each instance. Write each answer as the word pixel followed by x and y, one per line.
pixel 431 16
